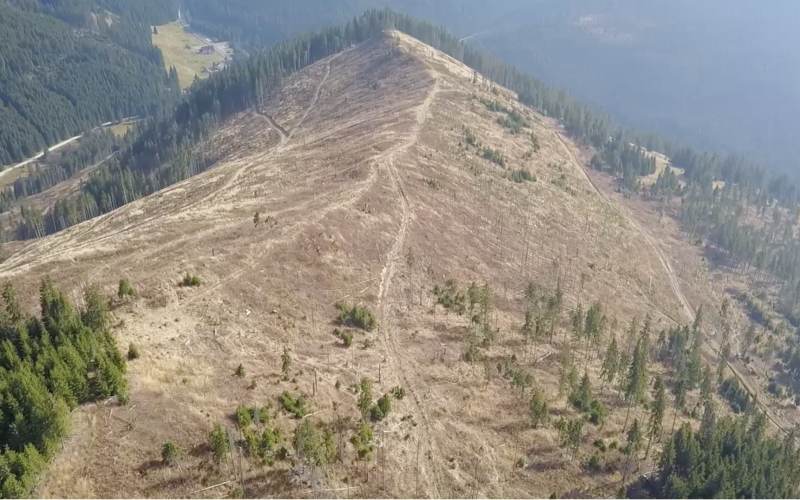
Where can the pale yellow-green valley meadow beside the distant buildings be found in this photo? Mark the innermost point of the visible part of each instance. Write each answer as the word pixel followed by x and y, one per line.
pixel 173 40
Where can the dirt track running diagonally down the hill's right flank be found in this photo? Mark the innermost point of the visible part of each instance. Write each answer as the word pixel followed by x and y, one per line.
pixel 675 285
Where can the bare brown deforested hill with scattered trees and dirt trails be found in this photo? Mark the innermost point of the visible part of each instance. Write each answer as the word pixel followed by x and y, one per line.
pixel 367 192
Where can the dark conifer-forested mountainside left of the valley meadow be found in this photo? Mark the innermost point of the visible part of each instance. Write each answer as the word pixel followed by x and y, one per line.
pixel 67 66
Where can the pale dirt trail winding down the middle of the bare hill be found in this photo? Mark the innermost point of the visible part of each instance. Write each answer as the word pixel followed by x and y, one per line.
pixel 387 274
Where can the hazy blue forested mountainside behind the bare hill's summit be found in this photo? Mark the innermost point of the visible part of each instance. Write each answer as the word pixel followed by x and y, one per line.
pixel 703 73
